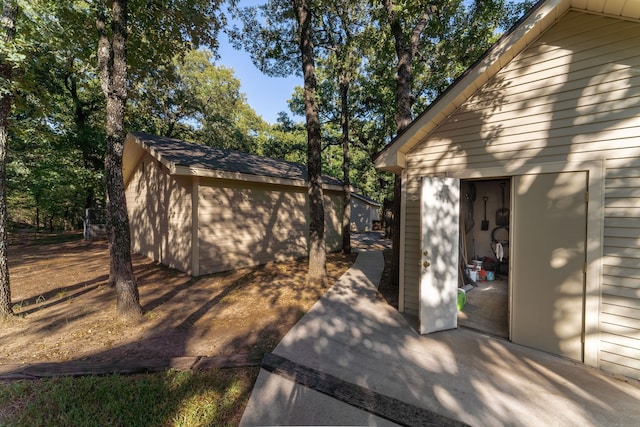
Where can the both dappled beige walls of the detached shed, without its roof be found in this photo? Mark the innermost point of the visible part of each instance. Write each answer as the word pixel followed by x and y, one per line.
pixel 239 224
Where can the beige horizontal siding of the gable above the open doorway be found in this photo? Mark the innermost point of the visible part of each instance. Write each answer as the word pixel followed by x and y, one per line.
pixel 573 95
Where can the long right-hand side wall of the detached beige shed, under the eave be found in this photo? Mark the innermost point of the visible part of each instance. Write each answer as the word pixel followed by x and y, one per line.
pixel 243 224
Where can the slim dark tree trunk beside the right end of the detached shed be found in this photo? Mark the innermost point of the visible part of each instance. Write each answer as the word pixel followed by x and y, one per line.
pixel 346 165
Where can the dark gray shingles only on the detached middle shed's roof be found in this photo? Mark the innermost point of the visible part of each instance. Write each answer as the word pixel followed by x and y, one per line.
pixel 182 153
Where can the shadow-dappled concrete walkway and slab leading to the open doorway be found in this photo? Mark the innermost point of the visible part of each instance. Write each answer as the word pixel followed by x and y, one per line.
pixel 353 347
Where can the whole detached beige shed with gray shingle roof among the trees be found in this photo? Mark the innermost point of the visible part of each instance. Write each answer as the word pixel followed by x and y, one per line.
pixel 202 209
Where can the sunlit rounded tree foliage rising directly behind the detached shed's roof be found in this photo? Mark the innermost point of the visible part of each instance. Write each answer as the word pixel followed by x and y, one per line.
pixel 196 100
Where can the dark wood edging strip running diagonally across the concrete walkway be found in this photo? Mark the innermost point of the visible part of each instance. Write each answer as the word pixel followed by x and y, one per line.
pixel 355 395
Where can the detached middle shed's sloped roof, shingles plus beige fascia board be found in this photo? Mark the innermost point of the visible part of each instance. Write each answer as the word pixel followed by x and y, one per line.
pixel 185 158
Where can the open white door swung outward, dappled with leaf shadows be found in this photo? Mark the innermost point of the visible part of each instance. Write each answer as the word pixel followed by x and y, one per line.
pixel 439 228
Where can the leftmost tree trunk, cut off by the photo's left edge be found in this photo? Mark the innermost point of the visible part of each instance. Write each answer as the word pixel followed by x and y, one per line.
pixel 7 35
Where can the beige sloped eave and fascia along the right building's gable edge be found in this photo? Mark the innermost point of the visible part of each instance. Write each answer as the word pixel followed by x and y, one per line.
pixel 540 18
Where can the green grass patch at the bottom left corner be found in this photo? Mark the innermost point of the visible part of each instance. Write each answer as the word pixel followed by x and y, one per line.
pixel 173 398
